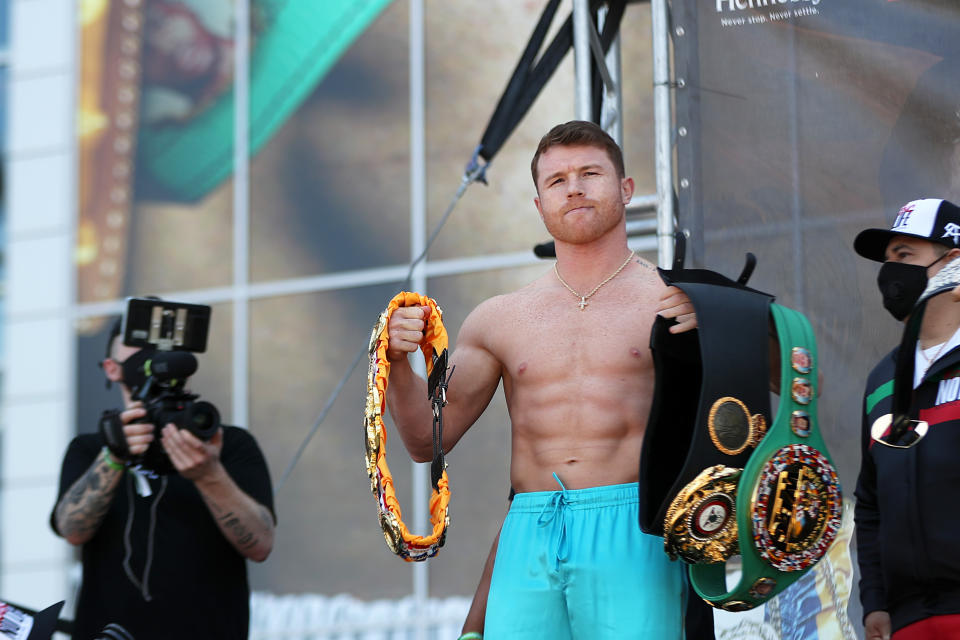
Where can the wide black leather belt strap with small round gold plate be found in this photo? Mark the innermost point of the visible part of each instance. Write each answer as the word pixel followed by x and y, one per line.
pixel 718 374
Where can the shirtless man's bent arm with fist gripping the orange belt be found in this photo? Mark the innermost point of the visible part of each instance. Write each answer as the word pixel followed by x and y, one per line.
pixel 474 374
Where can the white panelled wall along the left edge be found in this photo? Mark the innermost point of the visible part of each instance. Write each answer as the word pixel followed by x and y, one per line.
pixel 36 398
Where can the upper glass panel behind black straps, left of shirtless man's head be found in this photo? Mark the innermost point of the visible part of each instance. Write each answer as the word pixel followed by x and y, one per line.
pixel 468 67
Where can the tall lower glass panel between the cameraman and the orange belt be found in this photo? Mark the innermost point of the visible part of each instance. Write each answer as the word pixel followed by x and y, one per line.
pixel 328 540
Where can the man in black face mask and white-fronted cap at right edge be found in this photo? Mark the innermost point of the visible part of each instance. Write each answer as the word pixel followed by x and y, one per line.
pixel 909 486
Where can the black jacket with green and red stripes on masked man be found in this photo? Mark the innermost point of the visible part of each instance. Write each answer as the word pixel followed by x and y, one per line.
pixel 908 500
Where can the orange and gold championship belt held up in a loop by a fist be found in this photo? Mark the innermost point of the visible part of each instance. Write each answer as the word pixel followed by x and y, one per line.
pixel 410 547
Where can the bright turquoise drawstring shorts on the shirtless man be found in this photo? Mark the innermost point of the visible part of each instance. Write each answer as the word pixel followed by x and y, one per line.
pixel 575 564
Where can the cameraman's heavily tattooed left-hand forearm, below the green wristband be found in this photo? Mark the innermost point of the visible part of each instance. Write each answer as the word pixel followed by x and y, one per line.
pixel 81 509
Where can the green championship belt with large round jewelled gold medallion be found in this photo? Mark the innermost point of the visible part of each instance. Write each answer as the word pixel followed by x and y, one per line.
pixel 788 498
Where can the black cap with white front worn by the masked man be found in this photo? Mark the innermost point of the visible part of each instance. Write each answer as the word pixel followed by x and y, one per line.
pixel 930 219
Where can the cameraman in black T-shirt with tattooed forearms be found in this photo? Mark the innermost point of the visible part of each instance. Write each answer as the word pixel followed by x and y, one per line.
pixel 164 553
